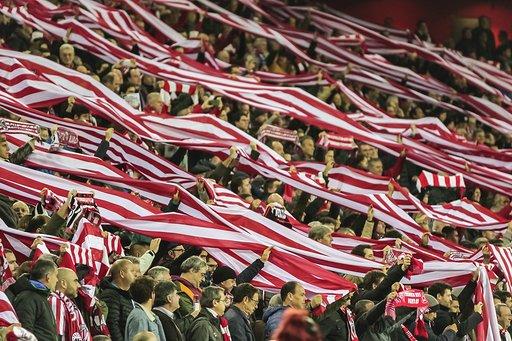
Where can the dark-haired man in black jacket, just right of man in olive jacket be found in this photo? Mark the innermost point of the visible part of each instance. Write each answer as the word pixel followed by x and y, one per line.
pixel 245 302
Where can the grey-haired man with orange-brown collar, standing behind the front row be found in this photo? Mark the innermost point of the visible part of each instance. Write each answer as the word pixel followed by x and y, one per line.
pixel 193 271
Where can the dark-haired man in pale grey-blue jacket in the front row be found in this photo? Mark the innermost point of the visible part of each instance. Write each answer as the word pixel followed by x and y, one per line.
pixel 141 318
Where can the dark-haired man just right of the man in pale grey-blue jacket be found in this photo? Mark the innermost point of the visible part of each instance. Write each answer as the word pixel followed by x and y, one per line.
pixel 167 302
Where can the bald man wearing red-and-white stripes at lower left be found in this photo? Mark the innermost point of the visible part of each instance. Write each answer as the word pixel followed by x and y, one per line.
pixel 69 319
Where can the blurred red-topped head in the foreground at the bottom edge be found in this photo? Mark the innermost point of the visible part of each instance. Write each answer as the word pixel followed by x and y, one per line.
pixel 297 325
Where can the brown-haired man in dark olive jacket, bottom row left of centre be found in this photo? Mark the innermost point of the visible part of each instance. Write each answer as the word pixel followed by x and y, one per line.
pixel 207 325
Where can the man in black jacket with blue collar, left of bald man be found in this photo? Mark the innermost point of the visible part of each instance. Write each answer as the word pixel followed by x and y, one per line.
pixel 31 304
